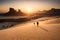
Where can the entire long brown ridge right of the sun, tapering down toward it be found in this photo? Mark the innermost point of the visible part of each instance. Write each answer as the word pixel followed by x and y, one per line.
pixel 48 13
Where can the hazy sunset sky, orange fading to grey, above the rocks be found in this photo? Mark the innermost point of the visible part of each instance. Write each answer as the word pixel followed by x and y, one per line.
pixel 27 5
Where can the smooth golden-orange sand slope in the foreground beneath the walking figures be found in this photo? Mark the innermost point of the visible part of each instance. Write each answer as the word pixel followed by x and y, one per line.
pixel 29 31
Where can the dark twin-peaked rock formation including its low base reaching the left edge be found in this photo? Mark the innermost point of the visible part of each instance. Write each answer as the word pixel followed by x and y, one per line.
pixel 13 12
